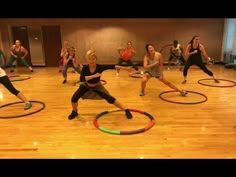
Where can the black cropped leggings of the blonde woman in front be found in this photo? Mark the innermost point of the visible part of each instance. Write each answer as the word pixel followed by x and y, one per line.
pixel 83 89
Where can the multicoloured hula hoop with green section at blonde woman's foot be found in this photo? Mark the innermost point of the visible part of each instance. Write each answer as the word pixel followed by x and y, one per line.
pixel 117 132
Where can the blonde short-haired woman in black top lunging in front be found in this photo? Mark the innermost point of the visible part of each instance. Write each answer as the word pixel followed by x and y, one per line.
pixel 91 88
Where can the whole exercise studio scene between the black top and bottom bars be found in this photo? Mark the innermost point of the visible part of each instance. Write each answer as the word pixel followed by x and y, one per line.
pixel 122 88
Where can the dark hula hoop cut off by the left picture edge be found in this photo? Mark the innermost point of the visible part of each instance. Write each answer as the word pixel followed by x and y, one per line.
pixel 22 115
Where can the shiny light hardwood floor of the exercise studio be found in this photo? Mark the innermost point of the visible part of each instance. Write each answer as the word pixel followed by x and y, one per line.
pixel 204 130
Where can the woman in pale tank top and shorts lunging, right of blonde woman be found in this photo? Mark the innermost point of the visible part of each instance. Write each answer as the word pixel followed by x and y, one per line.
pixel 153 65
